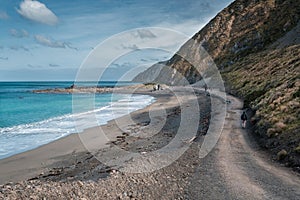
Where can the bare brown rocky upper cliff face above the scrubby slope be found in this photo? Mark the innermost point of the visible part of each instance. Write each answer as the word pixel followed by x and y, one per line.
pixel 244 27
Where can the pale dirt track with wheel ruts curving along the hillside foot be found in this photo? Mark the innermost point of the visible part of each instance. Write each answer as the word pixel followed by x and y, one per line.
pixel 237 168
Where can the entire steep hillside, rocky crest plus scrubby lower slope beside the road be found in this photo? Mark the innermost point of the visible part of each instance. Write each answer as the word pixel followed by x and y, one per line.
pixel 255 45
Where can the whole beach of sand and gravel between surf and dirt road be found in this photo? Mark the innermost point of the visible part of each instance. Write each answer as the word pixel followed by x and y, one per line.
pixel 65 169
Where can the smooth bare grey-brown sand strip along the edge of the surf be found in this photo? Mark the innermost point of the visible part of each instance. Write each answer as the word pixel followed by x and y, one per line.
pixel 34 162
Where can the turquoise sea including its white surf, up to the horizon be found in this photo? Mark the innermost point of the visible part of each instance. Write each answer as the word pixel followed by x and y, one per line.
pixel 29 120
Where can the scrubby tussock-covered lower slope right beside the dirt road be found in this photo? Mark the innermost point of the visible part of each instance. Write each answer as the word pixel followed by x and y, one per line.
pixel 269 82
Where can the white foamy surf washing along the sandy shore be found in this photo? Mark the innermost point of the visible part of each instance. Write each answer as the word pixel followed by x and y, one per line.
pixel 24 137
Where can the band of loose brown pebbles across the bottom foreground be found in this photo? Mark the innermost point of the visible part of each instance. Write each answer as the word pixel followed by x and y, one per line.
pixel 154 185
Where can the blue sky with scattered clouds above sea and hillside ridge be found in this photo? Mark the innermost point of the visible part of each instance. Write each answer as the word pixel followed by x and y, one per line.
pixel 52 40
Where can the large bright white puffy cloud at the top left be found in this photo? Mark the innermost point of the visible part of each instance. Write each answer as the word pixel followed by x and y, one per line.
pixel 36 11
